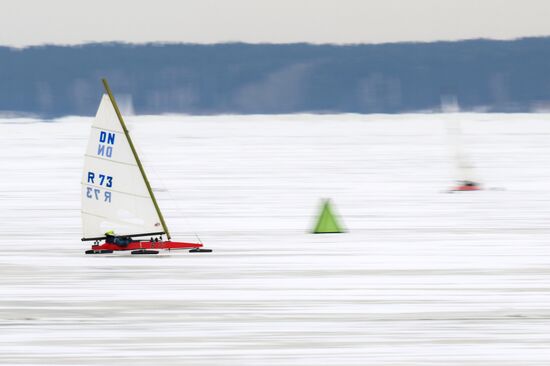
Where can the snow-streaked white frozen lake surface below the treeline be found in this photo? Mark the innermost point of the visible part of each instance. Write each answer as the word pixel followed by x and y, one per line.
pixel 421 278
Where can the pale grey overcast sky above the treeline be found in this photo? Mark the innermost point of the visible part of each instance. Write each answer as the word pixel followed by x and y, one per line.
pixel 31 22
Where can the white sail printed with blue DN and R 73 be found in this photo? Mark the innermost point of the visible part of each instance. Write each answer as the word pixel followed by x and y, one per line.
pixel 114 193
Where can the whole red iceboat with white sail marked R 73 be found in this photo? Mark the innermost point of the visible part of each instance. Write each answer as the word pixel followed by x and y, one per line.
pixel 118 204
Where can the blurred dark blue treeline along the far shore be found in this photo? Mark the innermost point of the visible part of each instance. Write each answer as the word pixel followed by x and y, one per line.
pixel 494 76
